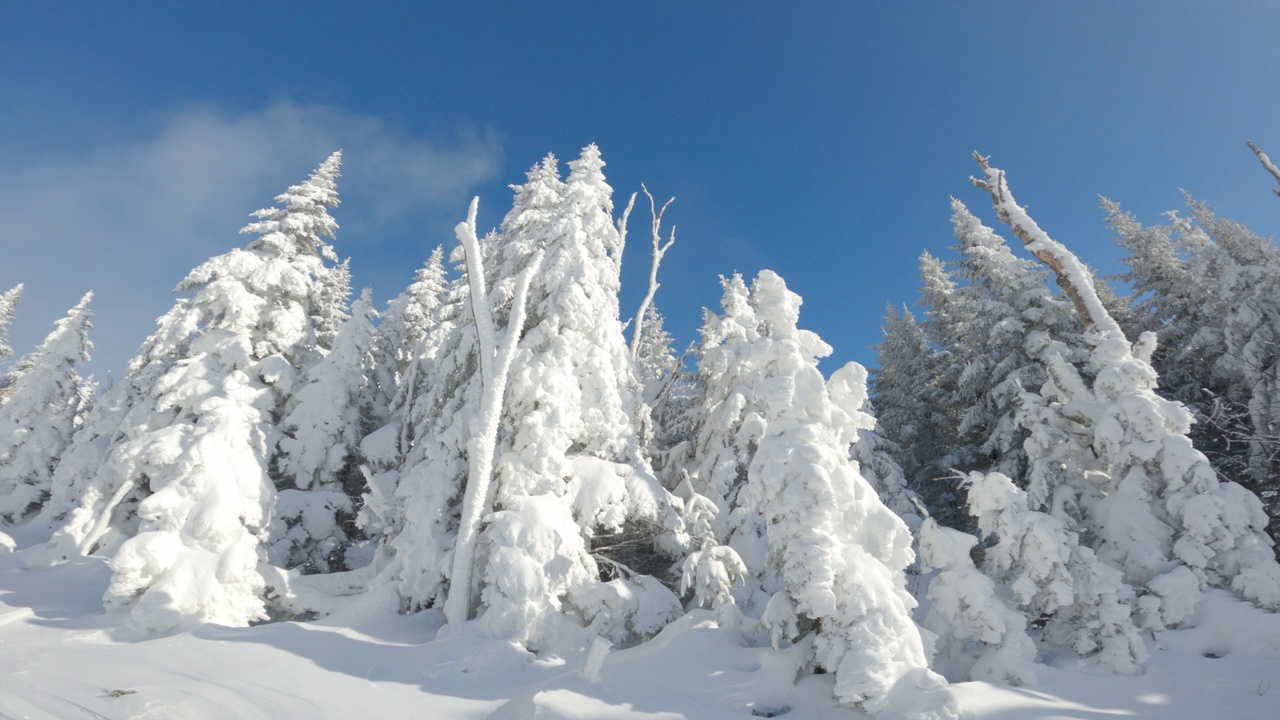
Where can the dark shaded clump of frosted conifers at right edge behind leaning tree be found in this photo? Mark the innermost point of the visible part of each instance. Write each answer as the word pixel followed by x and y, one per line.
pixel 1208 286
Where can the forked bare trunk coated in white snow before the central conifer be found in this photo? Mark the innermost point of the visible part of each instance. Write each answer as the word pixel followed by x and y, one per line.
pixel 481 448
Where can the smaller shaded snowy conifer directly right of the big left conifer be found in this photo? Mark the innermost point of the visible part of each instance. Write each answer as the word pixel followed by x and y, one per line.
pixel 319 452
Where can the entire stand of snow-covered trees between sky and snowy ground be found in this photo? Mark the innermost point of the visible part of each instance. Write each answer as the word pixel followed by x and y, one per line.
pixel 1045 458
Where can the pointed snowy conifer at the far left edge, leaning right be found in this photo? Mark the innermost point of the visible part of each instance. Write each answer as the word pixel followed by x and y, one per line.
pixel 44 409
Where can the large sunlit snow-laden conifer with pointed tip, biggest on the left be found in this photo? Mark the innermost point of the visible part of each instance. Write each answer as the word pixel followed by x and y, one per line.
pixel 185 473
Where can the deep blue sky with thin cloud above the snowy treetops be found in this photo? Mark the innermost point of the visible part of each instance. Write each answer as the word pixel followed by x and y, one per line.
pixel 821 140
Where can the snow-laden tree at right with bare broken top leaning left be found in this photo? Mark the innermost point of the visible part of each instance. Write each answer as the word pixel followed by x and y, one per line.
pixel 1160 511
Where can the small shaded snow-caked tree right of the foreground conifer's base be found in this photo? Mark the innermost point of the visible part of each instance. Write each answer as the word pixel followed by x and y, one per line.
pixel 966 608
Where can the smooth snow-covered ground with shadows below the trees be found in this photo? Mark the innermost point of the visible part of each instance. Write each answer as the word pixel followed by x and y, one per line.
pixel 62 658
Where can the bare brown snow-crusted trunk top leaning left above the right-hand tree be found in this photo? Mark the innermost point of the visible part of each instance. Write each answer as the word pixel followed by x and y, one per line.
pixel 1073 277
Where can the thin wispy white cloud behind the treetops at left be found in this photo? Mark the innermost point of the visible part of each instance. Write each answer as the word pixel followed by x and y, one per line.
pixel 131 220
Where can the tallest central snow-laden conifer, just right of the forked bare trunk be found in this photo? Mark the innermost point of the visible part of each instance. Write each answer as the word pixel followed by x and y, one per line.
pixel 572 473
